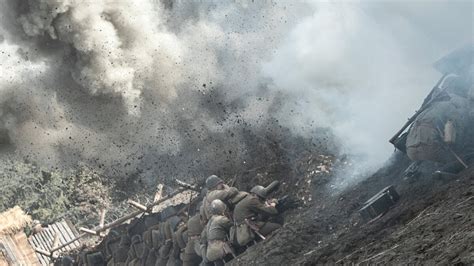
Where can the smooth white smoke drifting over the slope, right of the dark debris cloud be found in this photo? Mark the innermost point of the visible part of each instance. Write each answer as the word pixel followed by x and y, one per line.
pixel 362 68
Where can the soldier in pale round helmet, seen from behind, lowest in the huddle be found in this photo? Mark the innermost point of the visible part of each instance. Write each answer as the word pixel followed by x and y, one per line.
pixel 215 235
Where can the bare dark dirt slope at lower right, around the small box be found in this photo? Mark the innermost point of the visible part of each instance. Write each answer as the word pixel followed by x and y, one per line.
pixel 431 224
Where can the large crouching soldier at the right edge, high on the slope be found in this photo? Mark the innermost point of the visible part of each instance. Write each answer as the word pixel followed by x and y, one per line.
pixel 442 129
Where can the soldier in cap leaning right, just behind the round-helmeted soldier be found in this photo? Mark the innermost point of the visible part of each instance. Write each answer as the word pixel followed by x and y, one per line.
pixel 217 190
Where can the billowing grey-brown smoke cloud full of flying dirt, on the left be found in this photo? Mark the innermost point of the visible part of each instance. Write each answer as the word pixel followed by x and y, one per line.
pixel 138 87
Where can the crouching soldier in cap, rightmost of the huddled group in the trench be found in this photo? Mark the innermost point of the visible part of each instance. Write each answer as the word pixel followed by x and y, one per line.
pixel 251 216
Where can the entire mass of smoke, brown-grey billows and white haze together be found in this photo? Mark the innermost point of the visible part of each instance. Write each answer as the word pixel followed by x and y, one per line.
pixel 177 88
